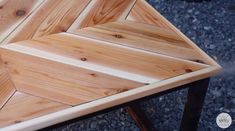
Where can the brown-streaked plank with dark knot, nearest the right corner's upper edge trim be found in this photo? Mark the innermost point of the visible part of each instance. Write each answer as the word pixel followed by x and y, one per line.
pixel 133 35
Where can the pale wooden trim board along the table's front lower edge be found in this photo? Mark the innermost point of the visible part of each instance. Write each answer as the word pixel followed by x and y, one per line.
pixel 114 100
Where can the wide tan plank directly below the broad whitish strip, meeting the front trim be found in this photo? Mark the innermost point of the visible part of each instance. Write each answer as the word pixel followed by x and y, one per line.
pixel 61 82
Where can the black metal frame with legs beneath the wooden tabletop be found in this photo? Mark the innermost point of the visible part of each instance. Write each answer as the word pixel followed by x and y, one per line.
pixel 191 116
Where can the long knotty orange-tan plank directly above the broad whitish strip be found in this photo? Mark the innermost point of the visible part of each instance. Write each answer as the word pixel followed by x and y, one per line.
pixel 94 52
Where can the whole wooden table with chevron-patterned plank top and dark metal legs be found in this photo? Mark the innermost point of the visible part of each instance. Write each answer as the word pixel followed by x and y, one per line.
pixel 66 59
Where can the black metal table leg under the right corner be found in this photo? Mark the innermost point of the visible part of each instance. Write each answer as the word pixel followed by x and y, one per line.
pixel 194 103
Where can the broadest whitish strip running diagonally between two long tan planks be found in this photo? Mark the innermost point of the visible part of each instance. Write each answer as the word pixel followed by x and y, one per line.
pixel 75 63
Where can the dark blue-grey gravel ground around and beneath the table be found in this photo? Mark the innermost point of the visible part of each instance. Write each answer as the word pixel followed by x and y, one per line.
pixel 212 26
